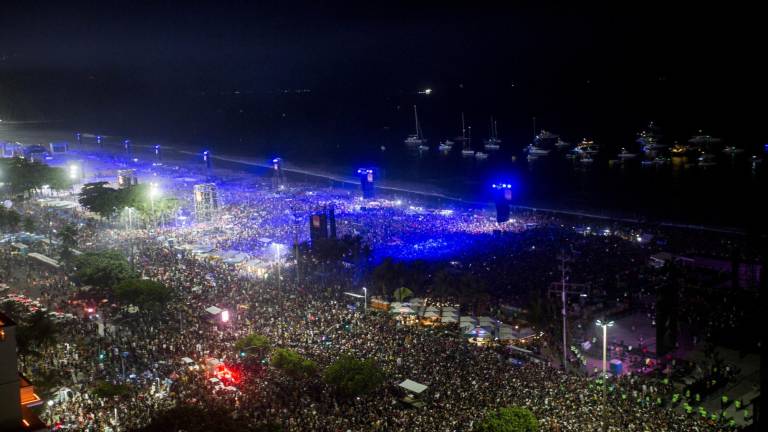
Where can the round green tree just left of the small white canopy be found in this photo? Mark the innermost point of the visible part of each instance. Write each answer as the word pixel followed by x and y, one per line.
pixel 352 377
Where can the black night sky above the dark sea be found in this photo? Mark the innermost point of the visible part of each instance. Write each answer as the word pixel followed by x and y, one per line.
pixel 691 66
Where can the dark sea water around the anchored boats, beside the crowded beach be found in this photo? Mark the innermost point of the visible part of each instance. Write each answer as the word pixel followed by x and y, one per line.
pixel 338 133
